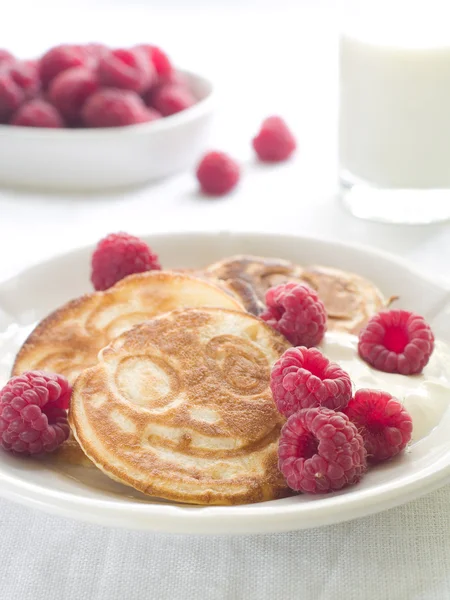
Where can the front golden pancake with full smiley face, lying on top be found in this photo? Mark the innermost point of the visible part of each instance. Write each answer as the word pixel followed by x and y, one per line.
pixel 180 408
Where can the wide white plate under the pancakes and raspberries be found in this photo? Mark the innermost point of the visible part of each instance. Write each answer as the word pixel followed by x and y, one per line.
pixel 88 495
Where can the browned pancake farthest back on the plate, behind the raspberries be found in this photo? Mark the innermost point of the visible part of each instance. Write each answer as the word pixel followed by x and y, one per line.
pixel 350 300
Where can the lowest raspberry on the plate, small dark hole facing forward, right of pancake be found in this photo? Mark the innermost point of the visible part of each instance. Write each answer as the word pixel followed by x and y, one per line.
pixel 320 451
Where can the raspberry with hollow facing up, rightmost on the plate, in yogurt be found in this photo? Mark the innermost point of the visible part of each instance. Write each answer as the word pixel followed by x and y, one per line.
pixel 396 341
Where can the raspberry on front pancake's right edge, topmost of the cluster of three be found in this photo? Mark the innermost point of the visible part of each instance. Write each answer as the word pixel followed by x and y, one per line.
pixel 305 378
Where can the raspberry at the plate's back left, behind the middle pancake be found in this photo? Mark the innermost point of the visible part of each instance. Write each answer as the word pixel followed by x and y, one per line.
pixel 118 255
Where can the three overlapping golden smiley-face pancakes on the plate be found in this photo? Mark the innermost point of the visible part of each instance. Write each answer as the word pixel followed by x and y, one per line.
pixel 171 375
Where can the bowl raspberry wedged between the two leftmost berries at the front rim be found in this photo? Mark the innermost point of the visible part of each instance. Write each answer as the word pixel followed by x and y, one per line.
pixel 70 89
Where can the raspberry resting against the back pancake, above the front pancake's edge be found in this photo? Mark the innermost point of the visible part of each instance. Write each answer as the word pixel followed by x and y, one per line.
pixel 296 311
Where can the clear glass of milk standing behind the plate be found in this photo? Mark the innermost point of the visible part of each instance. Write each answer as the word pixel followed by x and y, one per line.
pixel 394 115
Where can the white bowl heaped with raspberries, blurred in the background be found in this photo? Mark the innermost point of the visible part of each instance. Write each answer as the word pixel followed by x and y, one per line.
pixel 90 117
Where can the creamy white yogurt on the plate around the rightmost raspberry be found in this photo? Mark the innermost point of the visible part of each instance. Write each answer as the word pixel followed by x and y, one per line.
pixel 425 396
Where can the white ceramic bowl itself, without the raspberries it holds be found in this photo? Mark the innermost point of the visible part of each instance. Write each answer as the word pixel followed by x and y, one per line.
pixel 97 159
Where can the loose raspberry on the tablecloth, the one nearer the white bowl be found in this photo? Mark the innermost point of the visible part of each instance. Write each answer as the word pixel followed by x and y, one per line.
pixel 217 173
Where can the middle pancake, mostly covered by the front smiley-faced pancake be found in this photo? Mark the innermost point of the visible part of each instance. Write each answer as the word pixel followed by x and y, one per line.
pixel 68 340
